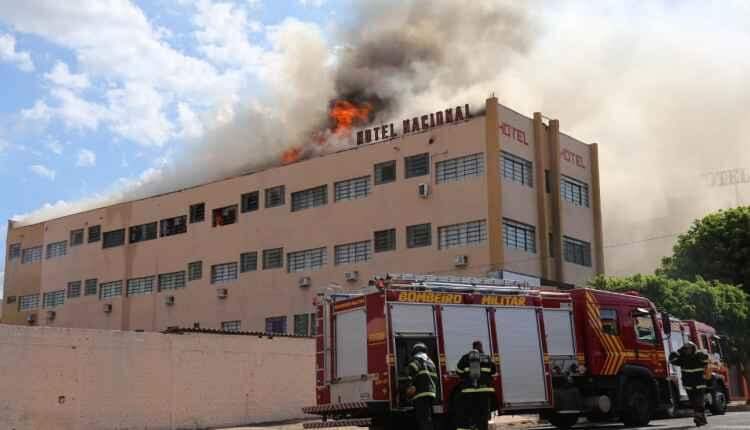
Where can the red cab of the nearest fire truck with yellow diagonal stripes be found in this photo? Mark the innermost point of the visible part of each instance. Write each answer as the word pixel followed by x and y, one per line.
pixel 622 368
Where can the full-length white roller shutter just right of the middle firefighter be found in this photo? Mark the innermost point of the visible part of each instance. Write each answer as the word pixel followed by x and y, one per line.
pixel 521 359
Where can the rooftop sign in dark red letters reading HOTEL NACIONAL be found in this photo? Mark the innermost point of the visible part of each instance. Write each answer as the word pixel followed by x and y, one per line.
pixel 413 125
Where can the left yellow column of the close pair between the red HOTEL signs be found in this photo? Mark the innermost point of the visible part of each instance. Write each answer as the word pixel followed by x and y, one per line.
pixel 540 142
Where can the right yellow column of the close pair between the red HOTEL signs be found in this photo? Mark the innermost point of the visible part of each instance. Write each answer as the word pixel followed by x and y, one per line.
pixel 553 137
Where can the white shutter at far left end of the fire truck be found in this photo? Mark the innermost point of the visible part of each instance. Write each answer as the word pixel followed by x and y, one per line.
pixel 351 344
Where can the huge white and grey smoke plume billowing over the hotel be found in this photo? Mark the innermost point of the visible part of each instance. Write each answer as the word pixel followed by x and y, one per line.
pixel 661 86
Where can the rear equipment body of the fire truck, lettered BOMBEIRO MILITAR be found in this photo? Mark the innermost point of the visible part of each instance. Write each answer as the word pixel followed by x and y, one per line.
pixel 365 338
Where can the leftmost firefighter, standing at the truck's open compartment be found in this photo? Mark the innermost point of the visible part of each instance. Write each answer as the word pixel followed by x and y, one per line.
pixel 422 385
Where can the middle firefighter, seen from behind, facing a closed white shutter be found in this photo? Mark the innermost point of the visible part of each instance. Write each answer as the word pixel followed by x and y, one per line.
pixel 476 369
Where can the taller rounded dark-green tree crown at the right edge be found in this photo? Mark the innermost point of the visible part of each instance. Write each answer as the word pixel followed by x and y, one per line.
pixel 716 247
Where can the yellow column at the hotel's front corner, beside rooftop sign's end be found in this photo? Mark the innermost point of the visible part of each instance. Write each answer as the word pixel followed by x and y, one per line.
pixel 494 185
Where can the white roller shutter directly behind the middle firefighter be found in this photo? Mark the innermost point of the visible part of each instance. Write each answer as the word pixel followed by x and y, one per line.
pixel 461 326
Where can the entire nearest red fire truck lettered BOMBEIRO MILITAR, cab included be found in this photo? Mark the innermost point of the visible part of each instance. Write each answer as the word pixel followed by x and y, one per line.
pixel 560 354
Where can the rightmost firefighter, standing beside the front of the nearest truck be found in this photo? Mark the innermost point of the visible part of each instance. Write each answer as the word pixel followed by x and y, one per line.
pixel 693 365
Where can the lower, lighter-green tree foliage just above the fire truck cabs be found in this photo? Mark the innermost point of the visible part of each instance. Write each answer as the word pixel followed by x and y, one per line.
pixel 723 306
